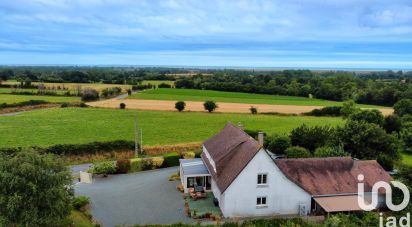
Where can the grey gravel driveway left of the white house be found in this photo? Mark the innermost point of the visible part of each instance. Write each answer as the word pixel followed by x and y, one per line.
pixel 138 198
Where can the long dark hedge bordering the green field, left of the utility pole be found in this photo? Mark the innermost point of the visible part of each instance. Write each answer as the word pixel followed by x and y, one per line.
pixel 90 148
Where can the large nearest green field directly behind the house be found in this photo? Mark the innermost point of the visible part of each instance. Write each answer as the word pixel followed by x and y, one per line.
pixel 82 125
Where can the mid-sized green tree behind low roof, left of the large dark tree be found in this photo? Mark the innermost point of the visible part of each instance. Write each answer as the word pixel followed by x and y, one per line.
pixel 311 137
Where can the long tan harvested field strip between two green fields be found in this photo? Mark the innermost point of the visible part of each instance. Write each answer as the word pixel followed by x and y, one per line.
pixel 198 106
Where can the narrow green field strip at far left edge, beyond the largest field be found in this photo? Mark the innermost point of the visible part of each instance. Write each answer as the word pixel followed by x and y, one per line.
pixel 10 98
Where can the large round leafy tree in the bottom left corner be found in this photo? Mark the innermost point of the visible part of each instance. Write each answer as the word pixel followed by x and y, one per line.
pixel 35 189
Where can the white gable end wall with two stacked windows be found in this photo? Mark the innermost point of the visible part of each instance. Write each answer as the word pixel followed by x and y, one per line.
pixel 282 195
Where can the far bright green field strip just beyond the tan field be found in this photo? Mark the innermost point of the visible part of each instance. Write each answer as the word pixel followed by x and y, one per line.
pixel 233 97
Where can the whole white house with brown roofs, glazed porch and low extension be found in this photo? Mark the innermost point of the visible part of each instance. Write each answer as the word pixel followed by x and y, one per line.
pixel 247 181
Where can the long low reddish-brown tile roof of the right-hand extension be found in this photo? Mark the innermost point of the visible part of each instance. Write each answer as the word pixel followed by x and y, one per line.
pixel 326 176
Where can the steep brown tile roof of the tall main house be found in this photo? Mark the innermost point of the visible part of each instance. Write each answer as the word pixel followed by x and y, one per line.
pixel 231 150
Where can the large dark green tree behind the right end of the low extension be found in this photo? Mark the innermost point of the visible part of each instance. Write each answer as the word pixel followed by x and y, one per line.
pixel 366 141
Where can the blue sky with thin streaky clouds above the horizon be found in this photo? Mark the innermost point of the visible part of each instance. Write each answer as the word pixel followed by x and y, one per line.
pixel 277 33
